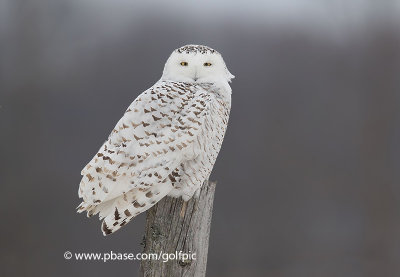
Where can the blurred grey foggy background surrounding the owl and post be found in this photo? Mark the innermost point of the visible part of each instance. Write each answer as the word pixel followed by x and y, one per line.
pixel 308 175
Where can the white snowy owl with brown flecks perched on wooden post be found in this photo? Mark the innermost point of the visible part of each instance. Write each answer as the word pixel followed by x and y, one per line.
pixel 165 144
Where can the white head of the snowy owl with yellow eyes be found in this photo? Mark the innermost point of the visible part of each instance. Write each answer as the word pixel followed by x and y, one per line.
pixel 196 64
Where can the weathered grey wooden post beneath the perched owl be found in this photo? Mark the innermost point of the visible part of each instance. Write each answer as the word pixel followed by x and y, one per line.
pixel 173 225
